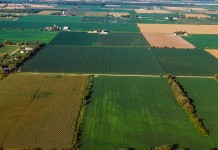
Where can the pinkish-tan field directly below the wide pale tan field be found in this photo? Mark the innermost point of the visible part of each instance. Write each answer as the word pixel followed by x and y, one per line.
pixel 161 40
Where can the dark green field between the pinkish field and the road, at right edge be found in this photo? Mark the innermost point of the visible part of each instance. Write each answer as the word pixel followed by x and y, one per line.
pixel 186 62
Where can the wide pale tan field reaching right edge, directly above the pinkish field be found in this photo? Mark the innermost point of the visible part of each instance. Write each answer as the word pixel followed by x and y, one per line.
pixel 171 28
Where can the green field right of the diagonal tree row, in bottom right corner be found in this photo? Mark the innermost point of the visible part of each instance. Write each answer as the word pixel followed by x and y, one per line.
pixel 204 93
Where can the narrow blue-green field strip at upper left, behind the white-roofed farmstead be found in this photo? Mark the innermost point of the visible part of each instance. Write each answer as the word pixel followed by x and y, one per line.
pixel 50 18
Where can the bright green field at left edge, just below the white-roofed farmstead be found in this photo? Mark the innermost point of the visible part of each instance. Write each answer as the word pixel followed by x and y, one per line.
pixel 16 36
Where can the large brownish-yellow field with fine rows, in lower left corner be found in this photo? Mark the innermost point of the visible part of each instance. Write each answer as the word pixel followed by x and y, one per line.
pixel 39 110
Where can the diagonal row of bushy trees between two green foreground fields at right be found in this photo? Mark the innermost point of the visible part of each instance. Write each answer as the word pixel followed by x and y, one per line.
pixel 186 104
